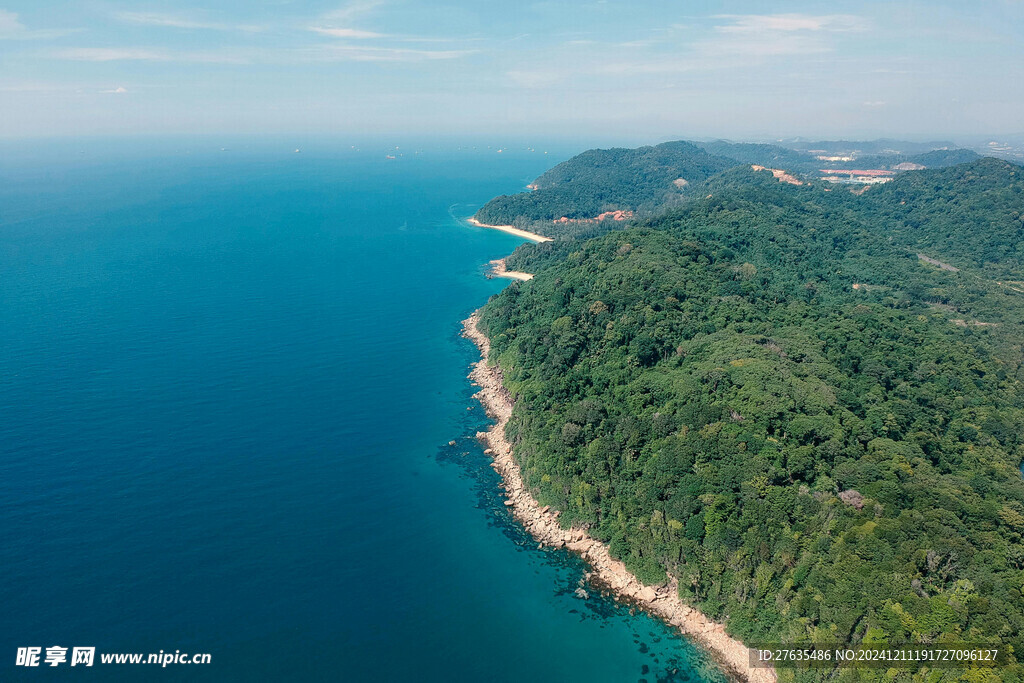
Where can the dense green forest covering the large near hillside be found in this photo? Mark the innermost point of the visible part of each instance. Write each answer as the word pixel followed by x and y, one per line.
pixel 767 396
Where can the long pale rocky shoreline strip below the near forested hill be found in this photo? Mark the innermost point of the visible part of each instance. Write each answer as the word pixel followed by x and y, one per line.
pixel 663 602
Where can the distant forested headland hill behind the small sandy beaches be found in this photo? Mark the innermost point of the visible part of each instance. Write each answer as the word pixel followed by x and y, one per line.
pixel 602 181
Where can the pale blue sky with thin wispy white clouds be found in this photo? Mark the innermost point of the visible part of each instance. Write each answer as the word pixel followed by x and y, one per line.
pixel 635 70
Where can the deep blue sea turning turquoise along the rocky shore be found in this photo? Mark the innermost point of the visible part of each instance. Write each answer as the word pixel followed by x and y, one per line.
pixel 228 383
